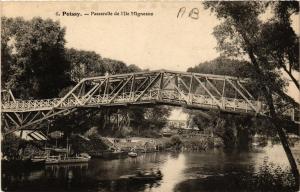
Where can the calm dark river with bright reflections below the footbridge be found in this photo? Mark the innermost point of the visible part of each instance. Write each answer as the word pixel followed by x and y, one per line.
pixel 185 171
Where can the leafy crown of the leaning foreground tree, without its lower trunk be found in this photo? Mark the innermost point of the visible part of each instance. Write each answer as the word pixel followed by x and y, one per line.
pixel 273 43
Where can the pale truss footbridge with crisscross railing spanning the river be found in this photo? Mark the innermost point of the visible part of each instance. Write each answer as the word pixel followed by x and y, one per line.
pixel 190 90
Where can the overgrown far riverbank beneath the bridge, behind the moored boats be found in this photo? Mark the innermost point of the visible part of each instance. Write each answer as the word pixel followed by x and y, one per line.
pixel 114 148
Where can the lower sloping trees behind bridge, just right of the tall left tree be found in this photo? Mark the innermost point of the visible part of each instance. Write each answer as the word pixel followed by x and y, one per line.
pixel 87 64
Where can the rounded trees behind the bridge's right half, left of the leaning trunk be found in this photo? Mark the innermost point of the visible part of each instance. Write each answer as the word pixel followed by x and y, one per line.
pixel 230 130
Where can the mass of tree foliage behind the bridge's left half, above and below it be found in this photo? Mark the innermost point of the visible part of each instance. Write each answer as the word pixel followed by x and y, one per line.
pixel 36 64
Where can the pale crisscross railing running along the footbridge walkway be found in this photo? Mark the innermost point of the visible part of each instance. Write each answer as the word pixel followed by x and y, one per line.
pixel 151 95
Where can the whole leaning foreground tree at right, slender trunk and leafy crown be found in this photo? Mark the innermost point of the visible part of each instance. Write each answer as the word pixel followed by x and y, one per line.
pixel 242 33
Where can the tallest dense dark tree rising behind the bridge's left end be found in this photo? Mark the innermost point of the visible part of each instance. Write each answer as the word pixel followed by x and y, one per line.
pixel 35 53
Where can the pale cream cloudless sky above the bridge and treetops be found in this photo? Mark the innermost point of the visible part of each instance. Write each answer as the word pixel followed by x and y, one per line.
pixel 161 41
